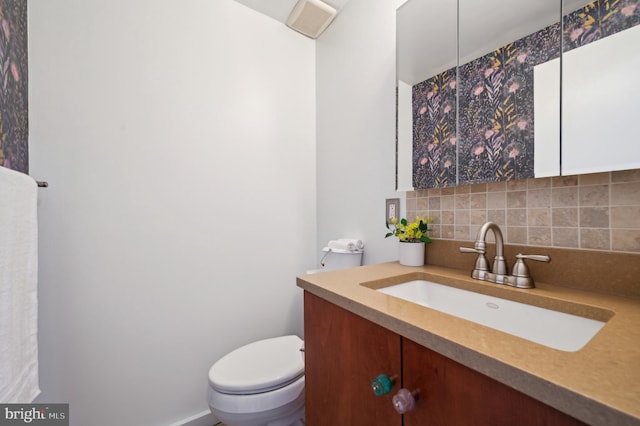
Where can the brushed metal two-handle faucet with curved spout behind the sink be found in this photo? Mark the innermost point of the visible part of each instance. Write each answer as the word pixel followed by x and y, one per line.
pixel 498 273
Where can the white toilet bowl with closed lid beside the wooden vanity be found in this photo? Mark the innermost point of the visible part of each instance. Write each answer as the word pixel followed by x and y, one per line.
pixel 260 384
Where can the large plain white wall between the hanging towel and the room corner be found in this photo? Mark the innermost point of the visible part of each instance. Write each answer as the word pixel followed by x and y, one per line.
pixel 178 138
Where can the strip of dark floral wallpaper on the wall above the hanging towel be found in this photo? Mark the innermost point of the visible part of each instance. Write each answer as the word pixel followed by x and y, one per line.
pixel 14 115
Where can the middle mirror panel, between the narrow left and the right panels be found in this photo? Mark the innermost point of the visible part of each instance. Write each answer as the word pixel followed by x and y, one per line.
pixel 507 130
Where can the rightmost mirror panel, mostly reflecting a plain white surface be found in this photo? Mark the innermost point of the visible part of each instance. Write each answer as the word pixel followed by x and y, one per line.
pixel 600 88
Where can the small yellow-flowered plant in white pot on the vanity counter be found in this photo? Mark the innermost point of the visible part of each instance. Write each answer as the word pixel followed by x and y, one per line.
pixel 412 236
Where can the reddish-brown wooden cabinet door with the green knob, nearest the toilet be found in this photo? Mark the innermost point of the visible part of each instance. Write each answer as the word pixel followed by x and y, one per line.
pixel 343 353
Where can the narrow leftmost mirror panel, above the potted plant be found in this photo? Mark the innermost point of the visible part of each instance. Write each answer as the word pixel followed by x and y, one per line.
pixel 427 42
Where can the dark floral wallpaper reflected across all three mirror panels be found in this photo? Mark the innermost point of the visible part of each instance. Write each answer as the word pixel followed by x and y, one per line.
pixel 495 123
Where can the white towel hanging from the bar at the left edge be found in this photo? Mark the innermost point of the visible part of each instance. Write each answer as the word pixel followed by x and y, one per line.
pixel 18 288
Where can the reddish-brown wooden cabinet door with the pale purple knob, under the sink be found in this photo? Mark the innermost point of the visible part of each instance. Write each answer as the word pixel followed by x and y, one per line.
pixel 452 394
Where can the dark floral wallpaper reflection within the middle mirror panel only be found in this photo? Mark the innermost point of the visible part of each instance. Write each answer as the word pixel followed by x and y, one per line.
pixel 496 109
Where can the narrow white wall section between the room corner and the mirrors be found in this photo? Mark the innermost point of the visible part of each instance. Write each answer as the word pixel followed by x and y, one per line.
pixel 355 75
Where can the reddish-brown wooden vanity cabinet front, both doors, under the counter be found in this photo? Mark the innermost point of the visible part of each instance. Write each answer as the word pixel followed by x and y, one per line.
pixel 344 352
